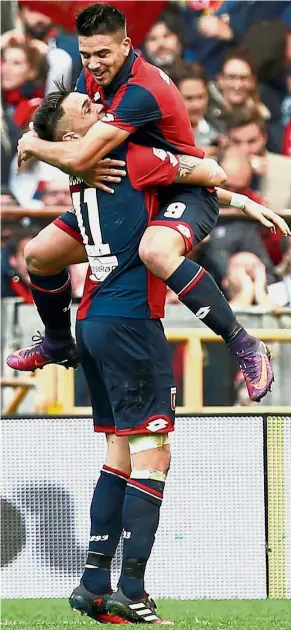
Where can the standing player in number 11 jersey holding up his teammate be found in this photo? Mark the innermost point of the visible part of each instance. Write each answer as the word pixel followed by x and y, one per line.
pixel 124 352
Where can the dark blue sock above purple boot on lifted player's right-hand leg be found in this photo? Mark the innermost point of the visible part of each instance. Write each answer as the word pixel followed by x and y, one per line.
pixel 196 288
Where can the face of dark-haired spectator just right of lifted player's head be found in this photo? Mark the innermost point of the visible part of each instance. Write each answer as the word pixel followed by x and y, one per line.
pixel 162 46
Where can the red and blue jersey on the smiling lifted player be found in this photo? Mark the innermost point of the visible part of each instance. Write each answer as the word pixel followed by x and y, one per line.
pixel 144 101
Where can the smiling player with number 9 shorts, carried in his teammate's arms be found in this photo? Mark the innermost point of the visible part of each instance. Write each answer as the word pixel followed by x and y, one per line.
pixel 141 101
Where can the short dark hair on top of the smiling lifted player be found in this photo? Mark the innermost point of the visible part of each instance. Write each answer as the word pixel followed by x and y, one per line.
pixel 100 19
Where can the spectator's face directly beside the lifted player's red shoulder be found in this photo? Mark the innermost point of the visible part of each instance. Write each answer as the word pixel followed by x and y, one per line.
pixel 195 96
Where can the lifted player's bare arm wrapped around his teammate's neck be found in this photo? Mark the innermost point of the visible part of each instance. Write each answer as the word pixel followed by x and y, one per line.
pixel 75 156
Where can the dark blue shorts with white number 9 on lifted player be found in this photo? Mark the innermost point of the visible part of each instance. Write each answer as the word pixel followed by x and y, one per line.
pixel 193 212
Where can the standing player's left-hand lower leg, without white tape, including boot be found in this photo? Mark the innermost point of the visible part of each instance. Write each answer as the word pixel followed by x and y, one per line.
pixel 91 596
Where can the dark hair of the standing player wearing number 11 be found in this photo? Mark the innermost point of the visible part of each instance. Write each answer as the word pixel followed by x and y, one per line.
pixel 50 112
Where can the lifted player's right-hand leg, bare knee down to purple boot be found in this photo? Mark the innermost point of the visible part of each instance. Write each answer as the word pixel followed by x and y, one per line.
pixel 196 289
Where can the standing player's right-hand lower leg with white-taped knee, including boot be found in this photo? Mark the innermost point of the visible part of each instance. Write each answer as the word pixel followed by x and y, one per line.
pixel 141 512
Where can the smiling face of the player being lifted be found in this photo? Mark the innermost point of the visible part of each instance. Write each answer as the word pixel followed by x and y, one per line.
pixel 104 55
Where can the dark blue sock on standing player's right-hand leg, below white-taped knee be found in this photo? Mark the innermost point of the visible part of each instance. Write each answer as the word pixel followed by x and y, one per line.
pixel 141 513
